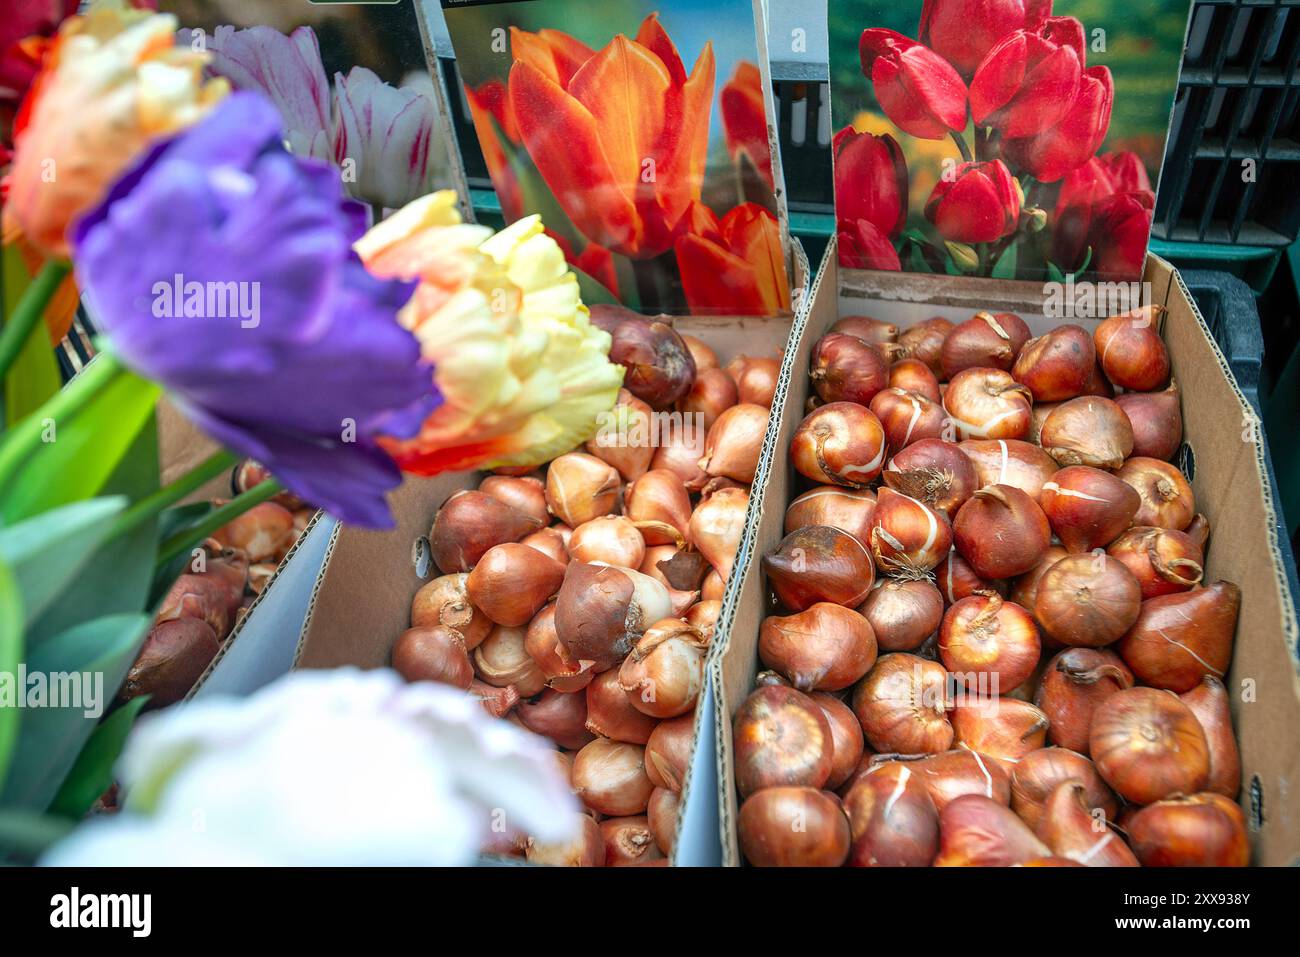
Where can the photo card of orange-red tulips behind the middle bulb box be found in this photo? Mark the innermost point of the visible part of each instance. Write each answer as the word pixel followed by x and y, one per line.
pixel 639 131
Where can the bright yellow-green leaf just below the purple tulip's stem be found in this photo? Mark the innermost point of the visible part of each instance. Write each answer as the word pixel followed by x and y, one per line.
pixel 77 457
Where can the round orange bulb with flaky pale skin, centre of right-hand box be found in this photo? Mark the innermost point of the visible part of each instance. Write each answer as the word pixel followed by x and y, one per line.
pixel 986 636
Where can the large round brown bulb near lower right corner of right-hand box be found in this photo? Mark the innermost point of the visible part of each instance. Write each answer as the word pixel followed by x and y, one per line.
pixel 1149 746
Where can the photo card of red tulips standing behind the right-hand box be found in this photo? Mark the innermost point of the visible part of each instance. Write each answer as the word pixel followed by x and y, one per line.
pixel 1016 140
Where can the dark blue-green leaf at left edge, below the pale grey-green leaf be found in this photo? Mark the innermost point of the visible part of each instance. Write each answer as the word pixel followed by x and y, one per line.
pixel 98 655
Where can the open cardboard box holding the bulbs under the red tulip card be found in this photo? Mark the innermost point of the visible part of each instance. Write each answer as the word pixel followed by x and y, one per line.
pixel 1223 460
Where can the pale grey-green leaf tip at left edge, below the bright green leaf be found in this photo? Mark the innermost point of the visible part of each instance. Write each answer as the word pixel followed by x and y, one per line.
pixel 47 552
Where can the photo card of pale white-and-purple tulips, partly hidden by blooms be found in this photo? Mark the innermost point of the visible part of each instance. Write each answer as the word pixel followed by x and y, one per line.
pixel 350 80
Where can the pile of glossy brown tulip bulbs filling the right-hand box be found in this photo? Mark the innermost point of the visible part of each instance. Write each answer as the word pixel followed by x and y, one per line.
pixel 994 640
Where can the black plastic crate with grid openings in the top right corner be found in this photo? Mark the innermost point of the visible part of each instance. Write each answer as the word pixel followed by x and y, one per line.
pixel 1234 148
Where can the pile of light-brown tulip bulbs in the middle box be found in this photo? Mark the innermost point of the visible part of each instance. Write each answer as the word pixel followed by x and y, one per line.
pixel 580 601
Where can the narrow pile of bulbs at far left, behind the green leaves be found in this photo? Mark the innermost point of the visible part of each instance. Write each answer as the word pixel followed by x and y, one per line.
pixel 206 604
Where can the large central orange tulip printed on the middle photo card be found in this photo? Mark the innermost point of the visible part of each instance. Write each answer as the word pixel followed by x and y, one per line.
pixel 621 137
